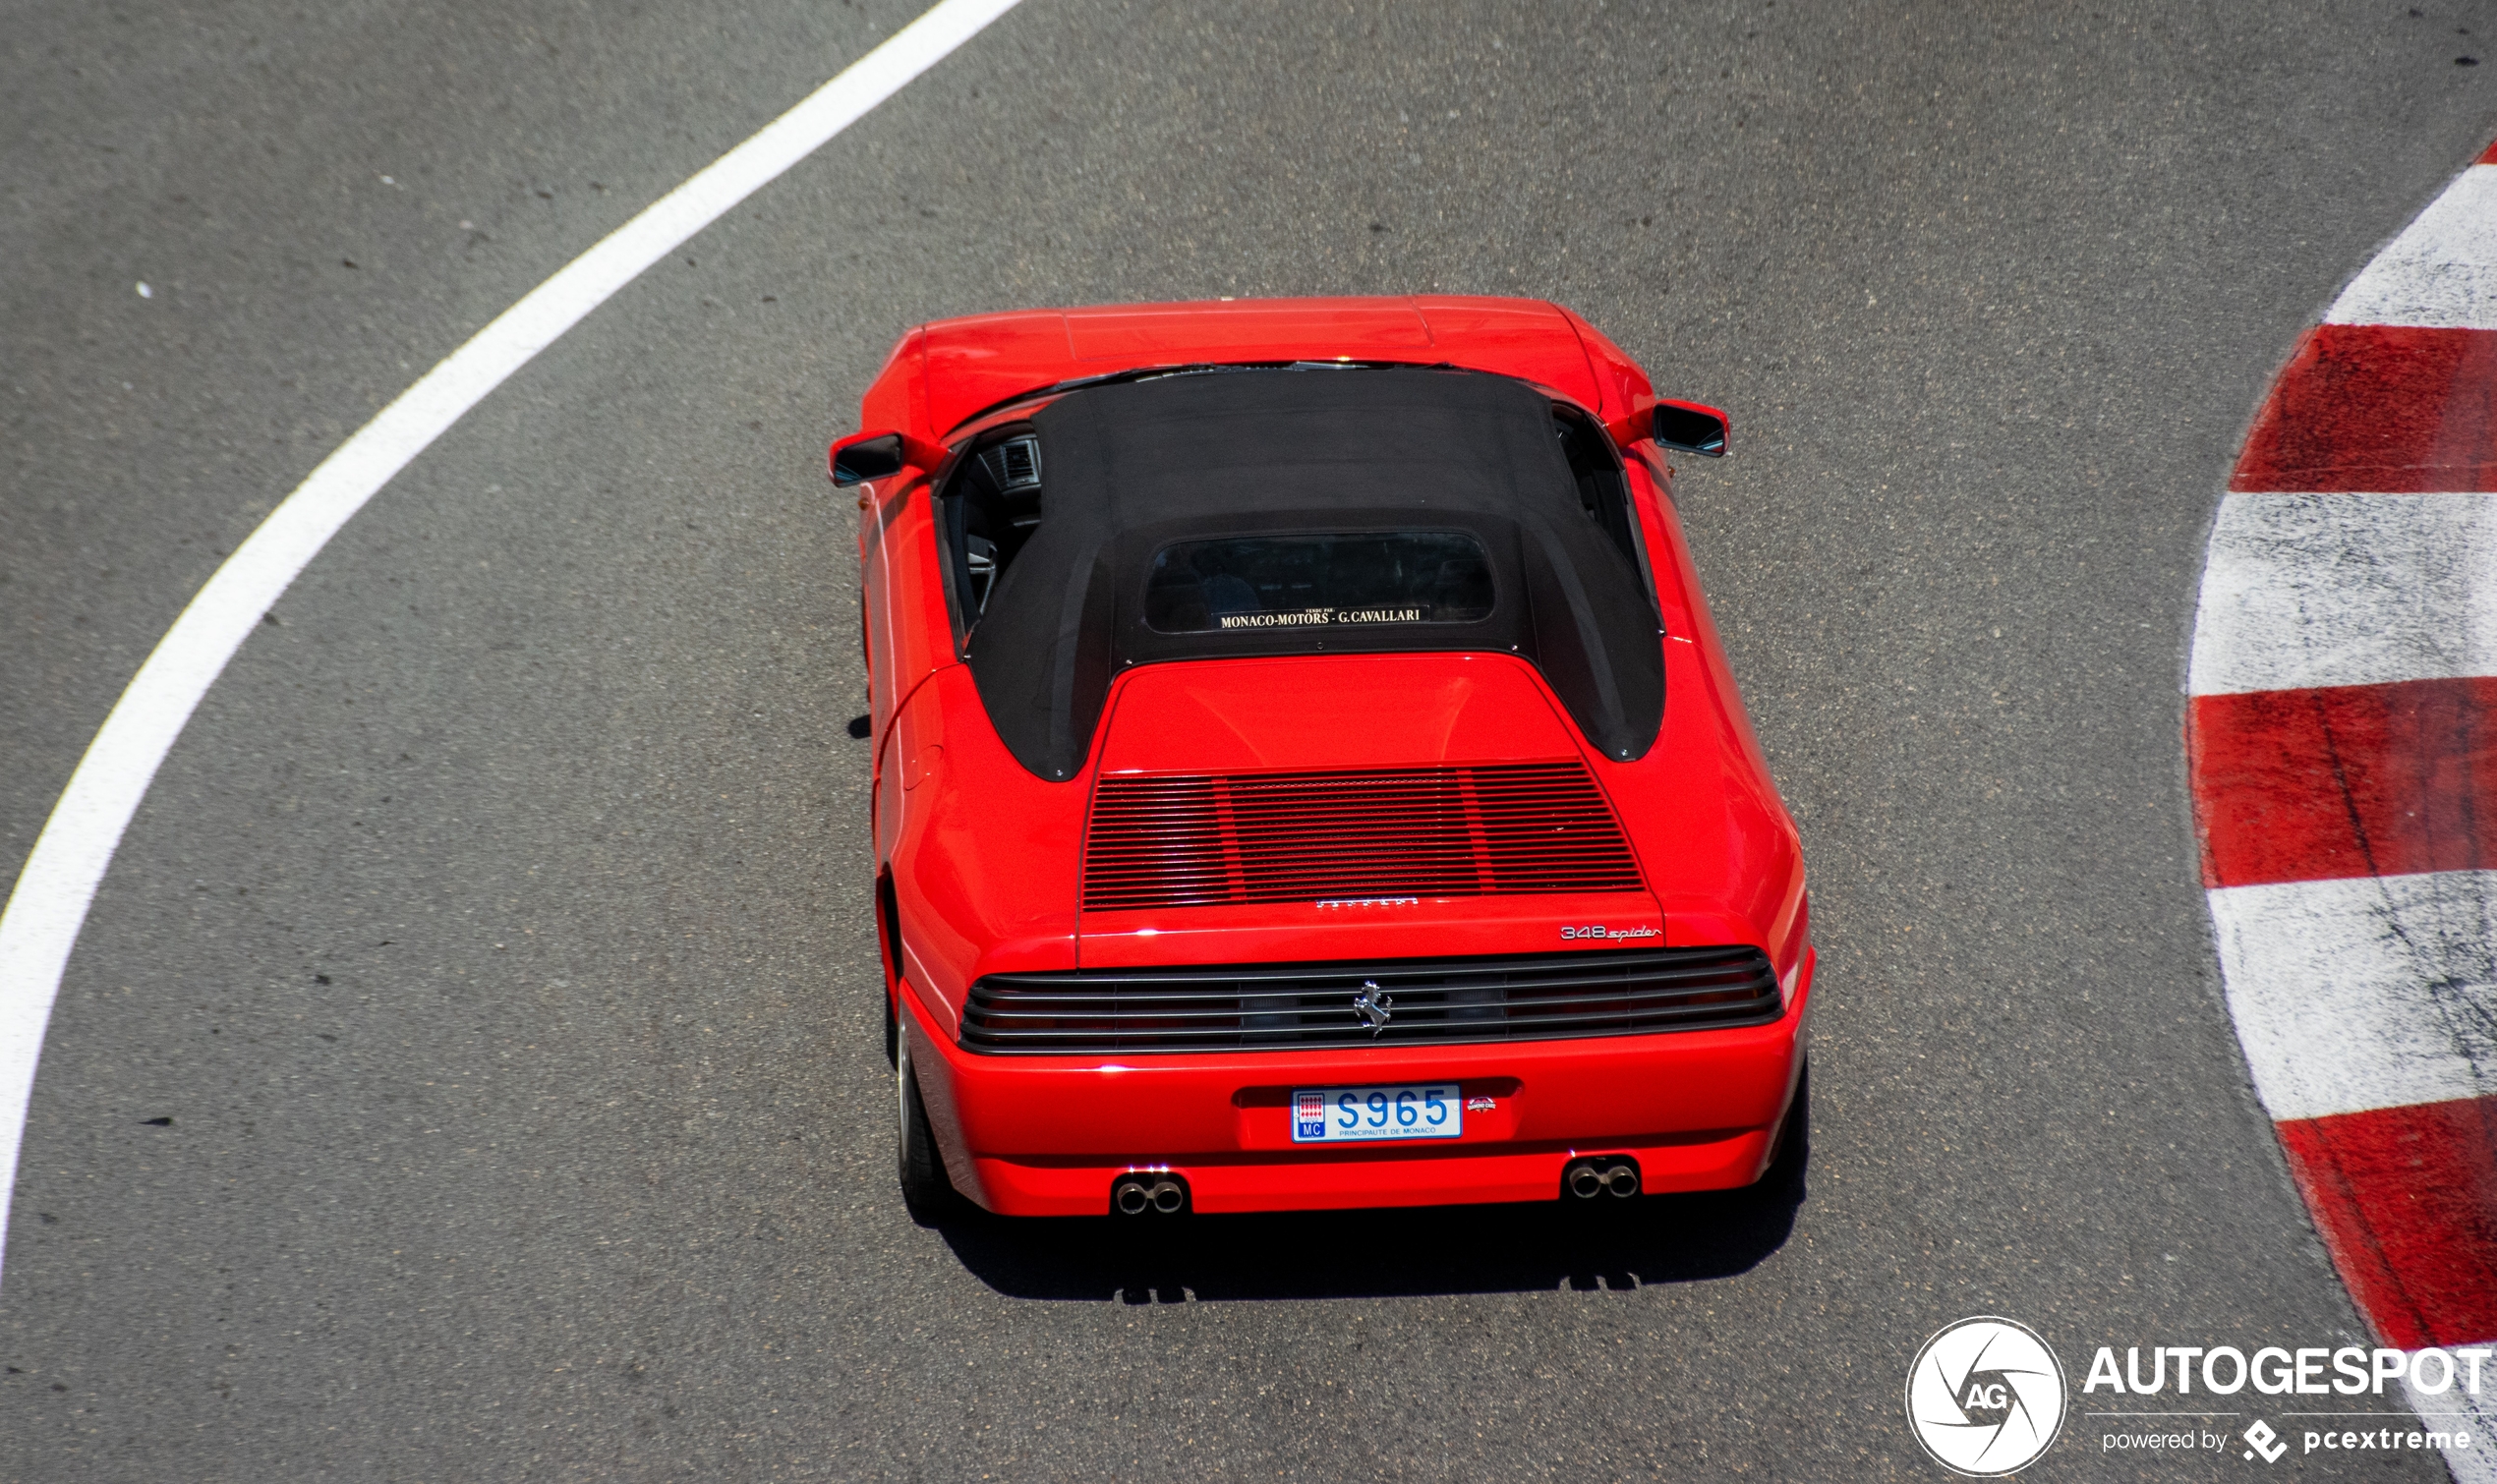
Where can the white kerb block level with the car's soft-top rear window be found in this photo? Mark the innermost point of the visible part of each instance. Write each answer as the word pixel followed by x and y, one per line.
pixel 2306 591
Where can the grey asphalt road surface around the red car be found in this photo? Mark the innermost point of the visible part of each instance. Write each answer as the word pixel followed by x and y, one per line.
pixel 498 936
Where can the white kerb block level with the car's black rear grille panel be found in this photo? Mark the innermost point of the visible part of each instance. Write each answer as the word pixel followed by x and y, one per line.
pixel 2363 993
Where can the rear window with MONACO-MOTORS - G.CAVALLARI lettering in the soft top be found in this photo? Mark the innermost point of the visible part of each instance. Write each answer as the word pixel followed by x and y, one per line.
pixel 1320 581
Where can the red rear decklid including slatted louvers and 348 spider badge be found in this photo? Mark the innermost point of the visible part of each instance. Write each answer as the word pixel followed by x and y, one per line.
pixel 1330 808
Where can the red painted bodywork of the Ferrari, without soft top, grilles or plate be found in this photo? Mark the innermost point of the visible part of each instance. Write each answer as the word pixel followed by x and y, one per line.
pixel 983 858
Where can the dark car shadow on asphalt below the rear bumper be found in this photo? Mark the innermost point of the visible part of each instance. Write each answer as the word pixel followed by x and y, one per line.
pixel 1604 1245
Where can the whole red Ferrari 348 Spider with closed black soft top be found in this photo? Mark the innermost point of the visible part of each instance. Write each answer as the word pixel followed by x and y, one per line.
pixel 1307 773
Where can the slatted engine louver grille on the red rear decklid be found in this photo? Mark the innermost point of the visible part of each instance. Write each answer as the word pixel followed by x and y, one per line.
pixel 1350 836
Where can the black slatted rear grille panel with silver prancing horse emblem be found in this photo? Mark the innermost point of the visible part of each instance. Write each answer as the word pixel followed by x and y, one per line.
pixel 1280 1008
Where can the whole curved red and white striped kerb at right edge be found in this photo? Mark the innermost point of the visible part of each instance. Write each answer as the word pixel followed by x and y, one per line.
pixel 2343 751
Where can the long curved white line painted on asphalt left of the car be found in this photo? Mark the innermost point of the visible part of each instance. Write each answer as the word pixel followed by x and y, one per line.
pixel 79 841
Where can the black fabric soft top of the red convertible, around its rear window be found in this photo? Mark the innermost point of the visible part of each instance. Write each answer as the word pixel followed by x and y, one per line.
pixel 1140 466
